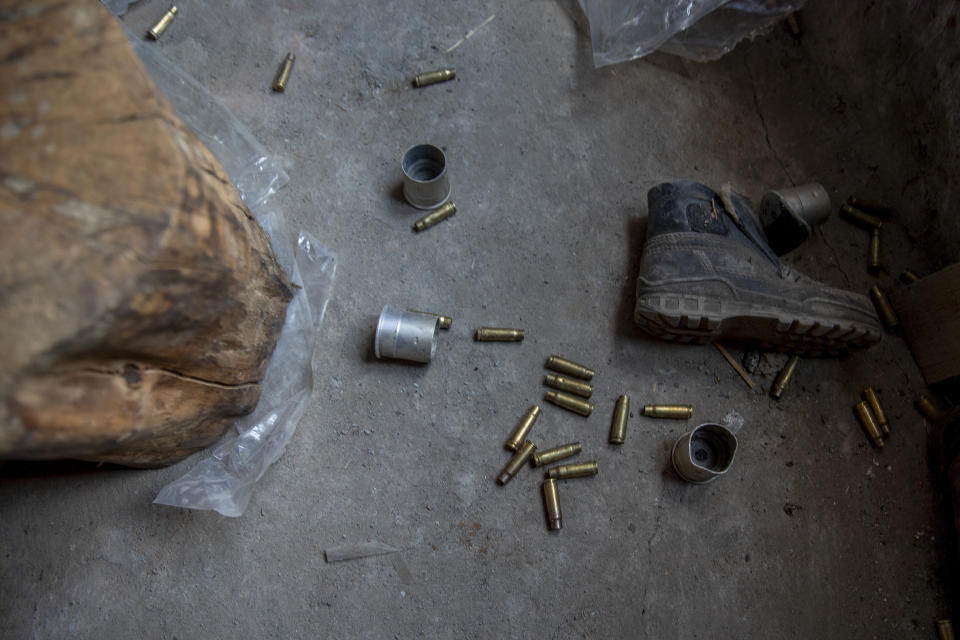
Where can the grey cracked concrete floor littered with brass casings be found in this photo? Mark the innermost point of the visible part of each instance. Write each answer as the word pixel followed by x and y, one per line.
pixel 812 534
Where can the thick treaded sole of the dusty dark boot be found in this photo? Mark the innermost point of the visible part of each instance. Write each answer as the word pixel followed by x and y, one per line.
pixel 698 320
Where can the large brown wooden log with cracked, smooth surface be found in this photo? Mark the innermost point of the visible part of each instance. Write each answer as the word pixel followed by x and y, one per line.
pixel 139 299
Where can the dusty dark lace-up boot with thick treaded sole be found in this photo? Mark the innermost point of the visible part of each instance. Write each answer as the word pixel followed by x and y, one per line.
pixel 707 272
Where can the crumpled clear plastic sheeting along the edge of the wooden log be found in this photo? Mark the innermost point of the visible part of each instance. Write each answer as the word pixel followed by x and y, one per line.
pixel 224 481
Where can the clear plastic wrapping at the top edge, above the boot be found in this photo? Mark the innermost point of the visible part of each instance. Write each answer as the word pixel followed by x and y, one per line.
pixel 701 30
